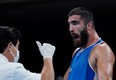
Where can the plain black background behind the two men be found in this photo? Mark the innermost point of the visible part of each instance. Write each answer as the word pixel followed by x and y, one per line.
pixel 46 21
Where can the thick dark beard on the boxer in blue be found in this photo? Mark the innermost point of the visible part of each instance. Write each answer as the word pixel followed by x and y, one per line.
pixel 82 39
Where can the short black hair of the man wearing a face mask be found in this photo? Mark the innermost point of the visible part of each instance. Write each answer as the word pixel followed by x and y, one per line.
pixel 8 34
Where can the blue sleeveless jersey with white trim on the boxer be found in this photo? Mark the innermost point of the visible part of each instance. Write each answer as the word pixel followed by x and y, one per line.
pixel 80 68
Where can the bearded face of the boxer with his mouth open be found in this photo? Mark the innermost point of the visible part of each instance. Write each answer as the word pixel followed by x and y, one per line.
pixel 78 30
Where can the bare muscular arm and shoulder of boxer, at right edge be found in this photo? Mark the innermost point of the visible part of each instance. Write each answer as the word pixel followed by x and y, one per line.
pixel 105 62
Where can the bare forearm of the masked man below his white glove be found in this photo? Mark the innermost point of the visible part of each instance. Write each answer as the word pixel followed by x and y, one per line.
pixel 47 71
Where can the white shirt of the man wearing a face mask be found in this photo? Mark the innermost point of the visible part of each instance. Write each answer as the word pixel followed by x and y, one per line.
pixel 15 71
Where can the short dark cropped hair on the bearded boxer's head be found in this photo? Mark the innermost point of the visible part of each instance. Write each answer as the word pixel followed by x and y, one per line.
pixel 85 14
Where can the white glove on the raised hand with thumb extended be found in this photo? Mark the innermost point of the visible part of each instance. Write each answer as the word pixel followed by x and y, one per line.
pixel 47 50
